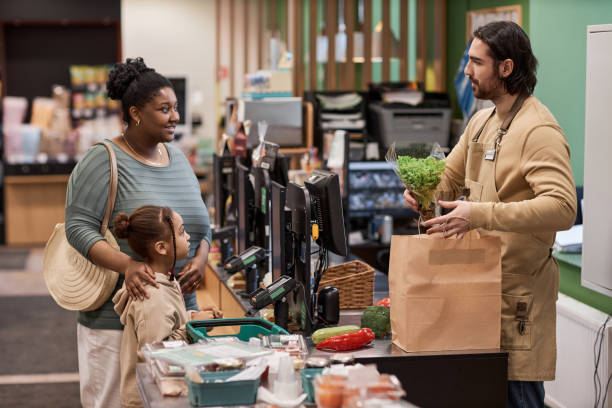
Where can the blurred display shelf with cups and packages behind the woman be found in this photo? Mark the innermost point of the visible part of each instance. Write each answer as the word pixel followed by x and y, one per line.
pixel 43 136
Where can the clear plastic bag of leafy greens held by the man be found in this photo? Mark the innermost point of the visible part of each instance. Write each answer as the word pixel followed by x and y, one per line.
pixel 419 172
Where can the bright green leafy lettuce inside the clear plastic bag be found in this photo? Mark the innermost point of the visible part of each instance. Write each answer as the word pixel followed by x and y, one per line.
pixel 422 176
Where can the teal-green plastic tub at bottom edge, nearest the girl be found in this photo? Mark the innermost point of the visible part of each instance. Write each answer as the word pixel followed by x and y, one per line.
pixel 211 393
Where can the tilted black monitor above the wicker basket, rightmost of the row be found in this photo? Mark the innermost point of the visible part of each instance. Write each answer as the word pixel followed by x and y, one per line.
pixel 326 201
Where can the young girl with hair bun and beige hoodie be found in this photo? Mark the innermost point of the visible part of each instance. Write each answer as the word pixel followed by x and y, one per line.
pixel 158 235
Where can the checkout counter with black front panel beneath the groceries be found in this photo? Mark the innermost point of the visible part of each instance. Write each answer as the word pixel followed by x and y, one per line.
pixel 467 378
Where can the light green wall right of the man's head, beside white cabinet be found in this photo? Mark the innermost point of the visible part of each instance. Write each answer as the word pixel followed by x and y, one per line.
pixel 562 63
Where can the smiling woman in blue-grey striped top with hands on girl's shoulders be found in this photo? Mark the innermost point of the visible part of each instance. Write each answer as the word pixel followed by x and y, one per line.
pixel 150 172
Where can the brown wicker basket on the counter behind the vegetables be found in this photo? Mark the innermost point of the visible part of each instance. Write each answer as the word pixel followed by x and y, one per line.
pixel 355 282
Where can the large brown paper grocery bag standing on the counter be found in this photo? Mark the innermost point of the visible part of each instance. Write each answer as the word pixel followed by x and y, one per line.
pixel 445 293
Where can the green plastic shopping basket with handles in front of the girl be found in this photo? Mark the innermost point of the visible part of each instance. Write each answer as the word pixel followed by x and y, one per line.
pixel 249 327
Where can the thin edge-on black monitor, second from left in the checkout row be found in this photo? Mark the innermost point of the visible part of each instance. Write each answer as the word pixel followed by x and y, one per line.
pixel 245 198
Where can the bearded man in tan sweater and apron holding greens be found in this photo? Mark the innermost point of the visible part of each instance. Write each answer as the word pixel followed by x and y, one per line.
pixel 513 165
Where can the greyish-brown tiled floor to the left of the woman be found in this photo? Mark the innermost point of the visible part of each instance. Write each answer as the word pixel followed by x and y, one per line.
pixel 51 378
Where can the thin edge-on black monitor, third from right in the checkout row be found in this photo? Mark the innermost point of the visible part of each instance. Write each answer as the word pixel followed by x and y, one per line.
pixel 278 221
